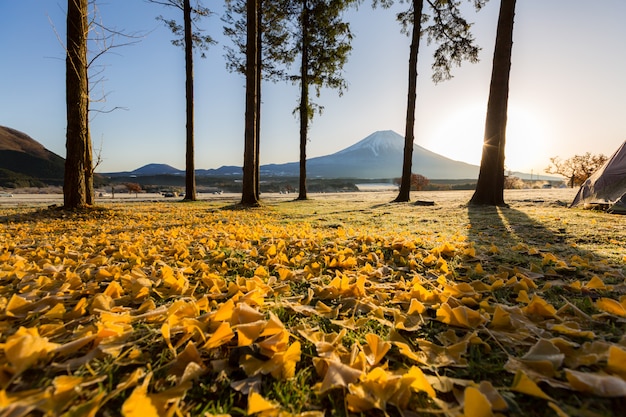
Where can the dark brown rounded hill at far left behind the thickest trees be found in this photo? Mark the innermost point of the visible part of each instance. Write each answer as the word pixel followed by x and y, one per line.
pixel 25 162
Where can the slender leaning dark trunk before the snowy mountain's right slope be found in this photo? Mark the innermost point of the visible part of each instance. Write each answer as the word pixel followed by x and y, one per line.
pixel 409 133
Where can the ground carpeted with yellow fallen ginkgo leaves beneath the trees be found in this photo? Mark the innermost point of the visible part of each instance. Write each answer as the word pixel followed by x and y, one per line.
pixel 343 305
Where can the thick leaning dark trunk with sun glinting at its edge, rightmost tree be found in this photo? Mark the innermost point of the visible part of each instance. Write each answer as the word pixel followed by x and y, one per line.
pixel 490 186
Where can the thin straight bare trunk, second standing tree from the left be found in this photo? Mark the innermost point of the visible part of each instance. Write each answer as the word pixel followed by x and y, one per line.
pixel 190 169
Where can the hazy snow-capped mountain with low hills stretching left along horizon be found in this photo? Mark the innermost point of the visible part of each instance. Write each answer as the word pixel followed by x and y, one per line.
pixel 378 156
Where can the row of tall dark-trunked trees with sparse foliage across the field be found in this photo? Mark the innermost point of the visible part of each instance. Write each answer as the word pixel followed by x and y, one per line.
pixel 268 37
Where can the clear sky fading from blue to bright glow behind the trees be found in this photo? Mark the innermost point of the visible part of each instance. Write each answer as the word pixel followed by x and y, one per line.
pixel 567 93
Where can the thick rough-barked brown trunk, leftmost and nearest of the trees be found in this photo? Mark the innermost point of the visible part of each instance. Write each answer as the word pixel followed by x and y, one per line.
pixel 77 96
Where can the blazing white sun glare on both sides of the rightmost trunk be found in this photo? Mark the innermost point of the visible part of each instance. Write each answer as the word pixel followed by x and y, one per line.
pixel 460 137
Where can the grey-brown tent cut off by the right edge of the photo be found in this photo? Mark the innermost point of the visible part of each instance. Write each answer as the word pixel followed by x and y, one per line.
pixel 606 188
